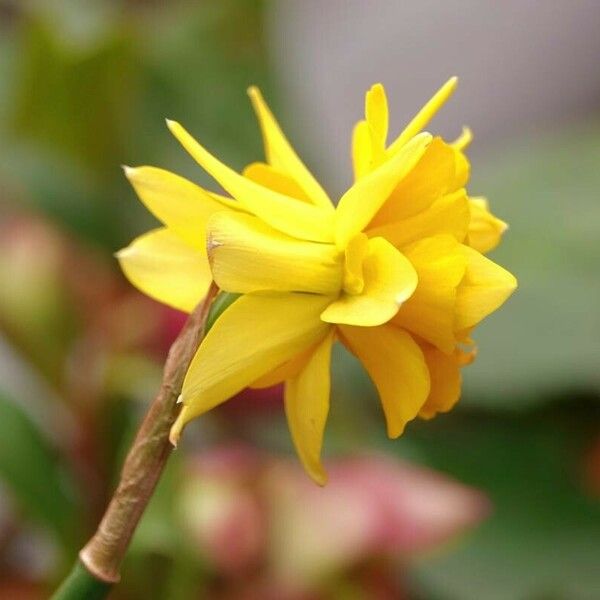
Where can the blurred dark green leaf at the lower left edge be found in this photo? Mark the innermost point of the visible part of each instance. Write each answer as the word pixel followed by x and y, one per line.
pixel 35 475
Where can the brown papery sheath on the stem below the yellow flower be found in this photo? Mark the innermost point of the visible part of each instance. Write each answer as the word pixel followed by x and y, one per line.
pixel 103 554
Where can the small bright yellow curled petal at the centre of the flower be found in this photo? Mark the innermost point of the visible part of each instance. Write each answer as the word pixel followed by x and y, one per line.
pixel 389 280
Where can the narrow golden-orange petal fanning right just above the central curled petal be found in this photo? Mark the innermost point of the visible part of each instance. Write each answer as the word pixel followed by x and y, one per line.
pixel 447 215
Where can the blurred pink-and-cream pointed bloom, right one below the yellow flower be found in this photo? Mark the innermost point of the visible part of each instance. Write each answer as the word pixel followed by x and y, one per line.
pixel 372 506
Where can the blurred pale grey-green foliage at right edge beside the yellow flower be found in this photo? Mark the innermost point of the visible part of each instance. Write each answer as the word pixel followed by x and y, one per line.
pixel 546 340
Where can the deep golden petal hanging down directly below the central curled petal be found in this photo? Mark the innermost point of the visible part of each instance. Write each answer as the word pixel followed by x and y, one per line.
pixel 397 367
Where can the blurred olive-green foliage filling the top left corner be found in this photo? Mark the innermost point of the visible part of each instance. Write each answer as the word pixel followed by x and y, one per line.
pixel 89 85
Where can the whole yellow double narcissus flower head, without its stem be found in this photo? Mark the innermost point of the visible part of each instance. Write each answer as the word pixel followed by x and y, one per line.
pixel 395 271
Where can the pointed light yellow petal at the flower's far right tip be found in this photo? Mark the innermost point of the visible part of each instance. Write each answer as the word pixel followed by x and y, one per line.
pixel 484 288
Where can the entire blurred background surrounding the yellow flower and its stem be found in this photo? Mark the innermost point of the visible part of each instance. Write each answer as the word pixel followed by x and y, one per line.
pixel 497 500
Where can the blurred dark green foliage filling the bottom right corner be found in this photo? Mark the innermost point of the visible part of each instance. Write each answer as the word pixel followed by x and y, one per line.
pixel 543 540
